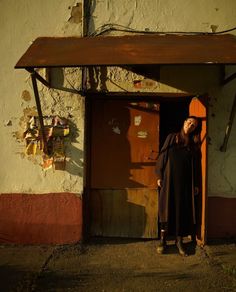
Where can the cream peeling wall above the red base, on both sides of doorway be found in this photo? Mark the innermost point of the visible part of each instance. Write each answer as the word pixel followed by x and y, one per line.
pixel 24 20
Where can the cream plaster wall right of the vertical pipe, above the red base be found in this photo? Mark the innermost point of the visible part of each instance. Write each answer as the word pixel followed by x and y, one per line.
pixel 178 16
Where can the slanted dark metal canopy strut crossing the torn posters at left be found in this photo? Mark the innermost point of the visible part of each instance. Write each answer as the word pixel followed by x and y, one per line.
pixel 38 104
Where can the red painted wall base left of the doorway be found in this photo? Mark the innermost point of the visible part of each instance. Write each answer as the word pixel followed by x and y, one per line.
pixel 40 218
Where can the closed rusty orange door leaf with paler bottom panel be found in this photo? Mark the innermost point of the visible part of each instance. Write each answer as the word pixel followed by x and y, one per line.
pixel 124 146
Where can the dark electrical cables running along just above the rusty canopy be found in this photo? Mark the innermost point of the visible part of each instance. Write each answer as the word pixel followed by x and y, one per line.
pixel 117 27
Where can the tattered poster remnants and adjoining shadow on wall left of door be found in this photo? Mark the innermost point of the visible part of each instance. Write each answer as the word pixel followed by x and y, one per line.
pixel 61 134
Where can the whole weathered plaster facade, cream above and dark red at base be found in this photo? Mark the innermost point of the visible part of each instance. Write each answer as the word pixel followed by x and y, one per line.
pixel 50 217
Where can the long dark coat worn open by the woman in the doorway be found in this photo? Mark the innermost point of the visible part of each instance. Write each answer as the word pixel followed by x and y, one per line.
pixel 164 172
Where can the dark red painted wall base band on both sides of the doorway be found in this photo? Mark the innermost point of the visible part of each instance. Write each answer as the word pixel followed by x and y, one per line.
pixel 57 218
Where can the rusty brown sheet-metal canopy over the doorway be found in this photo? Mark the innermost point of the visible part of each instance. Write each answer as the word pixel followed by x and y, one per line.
pixel 129 50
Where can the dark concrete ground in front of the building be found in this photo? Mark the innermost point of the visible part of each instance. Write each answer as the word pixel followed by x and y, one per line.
pixel 118 265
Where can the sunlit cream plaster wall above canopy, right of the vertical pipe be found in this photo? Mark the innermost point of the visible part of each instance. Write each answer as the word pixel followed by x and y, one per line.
pixel 163 16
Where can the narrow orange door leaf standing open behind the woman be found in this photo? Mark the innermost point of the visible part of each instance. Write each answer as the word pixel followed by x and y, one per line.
pixel 198 107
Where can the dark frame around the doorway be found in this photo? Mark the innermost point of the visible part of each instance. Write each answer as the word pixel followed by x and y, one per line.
pixel 136 96
